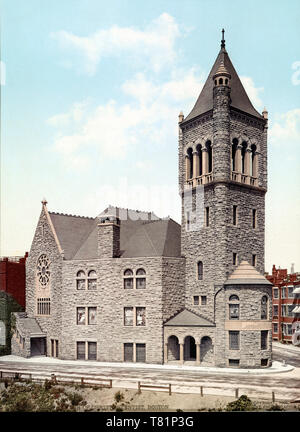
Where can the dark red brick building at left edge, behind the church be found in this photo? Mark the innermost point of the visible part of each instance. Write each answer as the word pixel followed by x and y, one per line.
pixel 12 296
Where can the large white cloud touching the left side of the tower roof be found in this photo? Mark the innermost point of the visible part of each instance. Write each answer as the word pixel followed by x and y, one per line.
pixel 150 115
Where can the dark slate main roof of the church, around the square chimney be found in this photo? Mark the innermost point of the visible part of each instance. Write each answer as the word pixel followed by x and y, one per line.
pixel 141 235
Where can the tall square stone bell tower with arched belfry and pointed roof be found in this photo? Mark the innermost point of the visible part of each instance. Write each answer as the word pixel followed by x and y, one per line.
pixel 222 183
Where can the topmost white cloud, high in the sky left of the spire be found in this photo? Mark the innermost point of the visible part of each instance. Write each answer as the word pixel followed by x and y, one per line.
pixel 154 46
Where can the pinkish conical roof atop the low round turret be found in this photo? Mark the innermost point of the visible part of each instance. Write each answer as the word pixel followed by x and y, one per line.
pixel 245 274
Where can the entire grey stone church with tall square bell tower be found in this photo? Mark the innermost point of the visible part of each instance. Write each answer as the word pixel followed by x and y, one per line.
pixel 127 286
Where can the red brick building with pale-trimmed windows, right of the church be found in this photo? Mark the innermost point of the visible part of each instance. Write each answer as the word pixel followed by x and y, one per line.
pixel 286 305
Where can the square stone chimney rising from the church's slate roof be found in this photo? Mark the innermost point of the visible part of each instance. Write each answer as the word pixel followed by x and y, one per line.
pixel 108 236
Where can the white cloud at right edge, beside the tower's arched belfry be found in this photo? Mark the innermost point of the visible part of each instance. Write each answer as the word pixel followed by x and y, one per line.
pixel 286 128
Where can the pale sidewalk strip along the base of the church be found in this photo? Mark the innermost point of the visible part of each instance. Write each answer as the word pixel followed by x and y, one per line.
pixel 277 367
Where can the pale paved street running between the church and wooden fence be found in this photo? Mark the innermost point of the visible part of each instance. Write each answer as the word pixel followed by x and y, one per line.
pixel 286 385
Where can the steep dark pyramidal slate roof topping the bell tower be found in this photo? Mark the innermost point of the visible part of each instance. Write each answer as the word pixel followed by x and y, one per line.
pixel 239 97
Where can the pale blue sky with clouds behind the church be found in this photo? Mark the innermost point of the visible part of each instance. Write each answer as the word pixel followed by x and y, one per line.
pixel 91 93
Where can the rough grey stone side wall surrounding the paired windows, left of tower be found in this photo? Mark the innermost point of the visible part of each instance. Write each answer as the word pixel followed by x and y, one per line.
pixel 110 298
